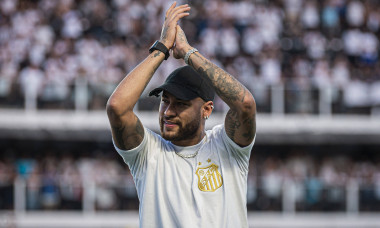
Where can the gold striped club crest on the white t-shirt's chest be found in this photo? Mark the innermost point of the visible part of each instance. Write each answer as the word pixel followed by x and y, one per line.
pixel 209 178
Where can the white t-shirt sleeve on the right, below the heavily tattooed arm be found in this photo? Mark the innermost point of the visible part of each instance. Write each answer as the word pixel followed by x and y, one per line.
pixel 241 154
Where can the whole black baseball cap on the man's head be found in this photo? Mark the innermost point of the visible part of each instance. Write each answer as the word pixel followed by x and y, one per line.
pixel 186 84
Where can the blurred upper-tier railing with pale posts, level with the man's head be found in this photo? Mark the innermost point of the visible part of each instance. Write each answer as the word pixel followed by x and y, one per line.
pixel 279 99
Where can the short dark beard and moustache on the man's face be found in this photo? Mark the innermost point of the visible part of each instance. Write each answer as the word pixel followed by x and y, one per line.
pixel 183 131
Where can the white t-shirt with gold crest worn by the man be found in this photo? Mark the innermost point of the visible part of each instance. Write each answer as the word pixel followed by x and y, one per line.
pixel 208 190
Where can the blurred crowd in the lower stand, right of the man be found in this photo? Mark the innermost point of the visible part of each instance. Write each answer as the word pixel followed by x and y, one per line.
pixel 315 178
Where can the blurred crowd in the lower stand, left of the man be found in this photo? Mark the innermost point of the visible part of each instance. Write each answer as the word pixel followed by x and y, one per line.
pixel 53 180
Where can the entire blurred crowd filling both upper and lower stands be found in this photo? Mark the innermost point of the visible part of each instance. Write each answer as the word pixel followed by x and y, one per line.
pixel 47 48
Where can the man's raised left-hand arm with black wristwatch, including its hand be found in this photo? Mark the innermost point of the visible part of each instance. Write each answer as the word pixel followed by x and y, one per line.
pixel 127 130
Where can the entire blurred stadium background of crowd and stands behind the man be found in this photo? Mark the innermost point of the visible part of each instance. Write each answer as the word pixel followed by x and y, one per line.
pixel 313 67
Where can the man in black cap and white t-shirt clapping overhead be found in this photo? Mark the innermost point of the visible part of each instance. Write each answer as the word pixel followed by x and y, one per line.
pixel 185 177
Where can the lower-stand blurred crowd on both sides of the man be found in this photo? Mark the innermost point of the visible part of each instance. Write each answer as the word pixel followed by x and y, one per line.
pixel 316 181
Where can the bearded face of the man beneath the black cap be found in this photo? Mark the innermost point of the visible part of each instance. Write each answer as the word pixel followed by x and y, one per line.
pixel 179 120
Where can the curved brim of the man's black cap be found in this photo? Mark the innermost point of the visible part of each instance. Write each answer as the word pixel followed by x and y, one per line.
pixel 178 91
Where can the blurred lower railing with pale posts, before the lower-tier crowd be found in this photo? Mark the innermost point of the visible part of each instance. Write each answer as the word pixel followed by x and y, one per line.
pixel 92 197
